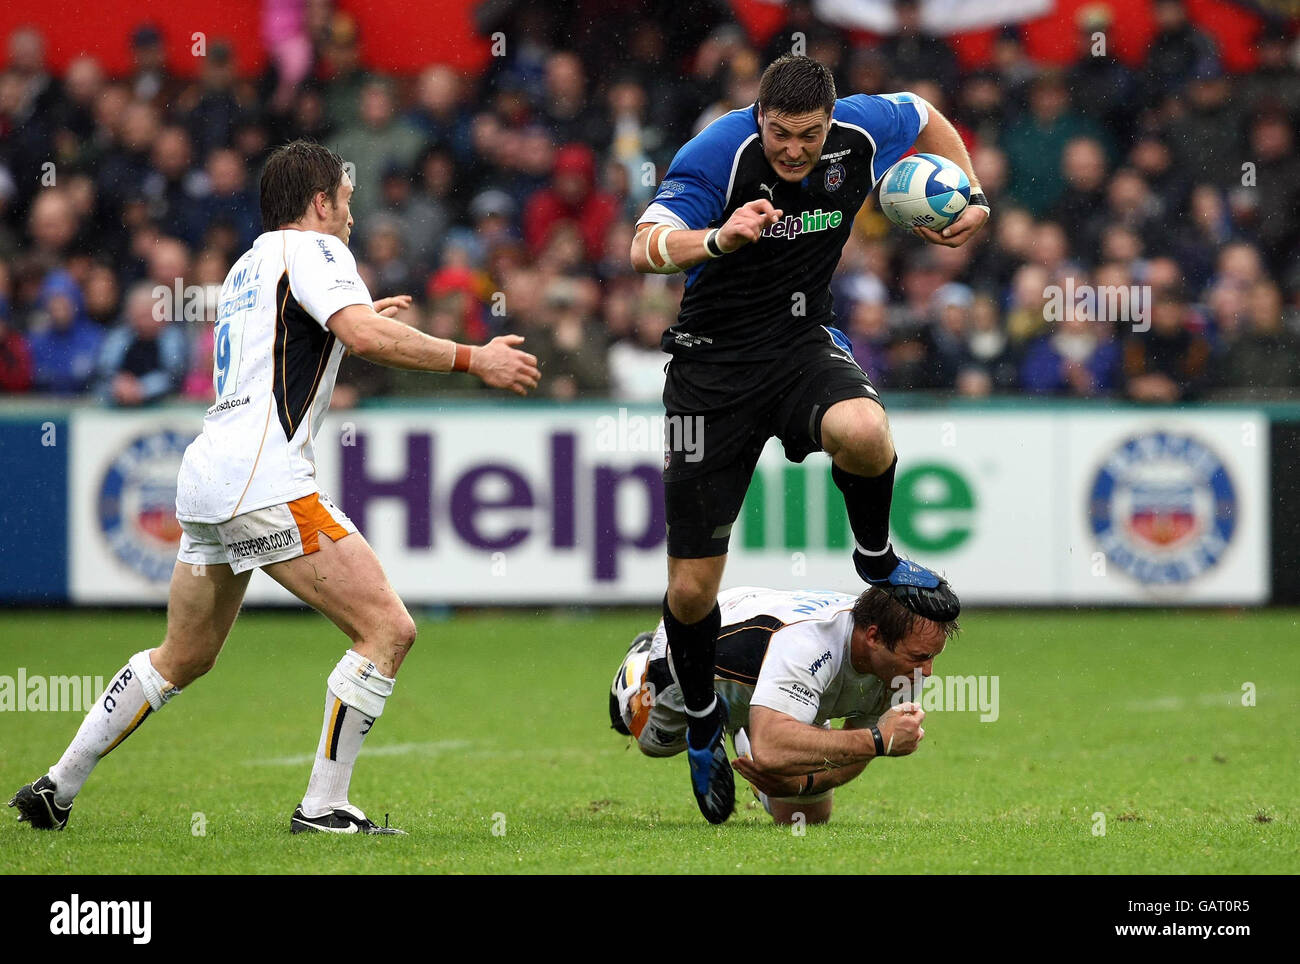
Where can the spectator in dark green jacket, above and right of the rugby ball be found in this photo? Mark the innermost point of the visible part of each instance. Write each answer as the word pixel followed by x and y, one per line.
pixel 1035 145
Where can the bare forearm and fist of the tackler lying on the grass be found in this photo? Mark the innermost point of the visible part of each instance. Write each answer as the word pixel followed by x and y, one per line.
pixel 787 748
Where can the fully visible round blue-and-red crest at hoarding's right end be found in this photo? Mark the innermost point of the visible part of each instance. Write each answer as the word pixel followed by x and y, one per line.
pixel 1164 509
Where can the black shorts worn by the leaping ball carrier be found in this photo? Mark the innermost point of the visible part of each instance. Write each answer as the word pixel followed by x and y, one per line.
pixel 721 416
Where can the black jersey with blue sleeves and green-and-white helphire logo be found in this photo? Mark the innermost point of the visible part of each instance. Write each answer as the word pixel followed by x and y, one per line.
pixel 757 302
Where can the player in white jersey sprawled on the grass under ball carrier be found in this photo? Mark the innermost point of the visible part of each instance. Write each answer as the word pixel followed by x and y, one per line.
pixel 790 663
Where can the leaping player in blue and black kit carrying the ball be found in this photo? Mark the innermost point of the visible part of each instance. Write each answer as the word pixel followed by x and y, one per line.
pixel 756 210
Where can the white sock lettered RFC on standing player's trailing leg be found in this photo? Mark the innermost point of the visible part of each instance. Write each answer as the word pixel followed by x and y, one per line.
pixel 137 691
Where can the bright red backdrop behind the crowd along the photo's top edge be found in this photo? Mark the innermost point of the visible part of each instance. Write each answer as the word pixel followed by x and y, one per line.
pixel 406 36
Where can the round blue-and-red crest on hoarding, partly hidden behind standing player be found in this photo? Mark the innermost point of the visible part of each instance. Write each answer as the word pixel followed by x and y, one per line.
pixel 136 505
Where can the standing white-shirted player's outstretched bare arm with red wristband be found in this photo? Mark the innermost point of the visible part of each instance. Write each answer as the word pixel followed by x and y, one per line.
pixel 382 340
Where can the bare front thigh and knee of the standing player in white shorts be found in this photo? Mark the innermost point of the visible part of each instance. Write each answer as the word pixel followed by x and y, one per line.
pixel 346 583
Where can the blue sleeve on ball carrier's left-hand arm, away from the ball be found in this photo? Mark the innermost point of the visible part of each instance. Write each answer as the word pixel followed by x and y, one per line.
pixel 694 193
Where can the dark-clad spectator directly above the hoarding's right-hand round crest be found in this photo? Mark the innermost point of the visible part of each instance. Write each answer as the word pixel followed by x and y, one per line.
pixel 1169 363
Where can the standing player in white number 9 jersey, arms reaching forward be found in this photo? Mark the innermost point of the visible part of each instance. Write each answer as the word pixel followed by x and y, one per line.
pixel 248 496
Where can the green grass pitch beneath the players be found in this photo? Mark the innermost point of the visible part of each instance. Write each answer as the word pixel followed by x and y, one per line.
pixel 1134 715
